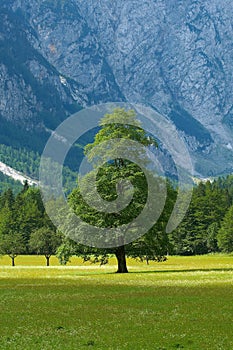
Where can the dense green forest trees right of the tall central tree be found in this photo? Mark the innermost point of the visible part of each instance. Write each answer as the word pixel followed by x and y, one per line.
pixel 208 224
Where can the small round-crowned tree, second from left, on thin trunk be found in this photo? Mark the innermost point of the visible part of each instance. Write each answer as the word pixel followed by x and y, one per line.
pixel 45 241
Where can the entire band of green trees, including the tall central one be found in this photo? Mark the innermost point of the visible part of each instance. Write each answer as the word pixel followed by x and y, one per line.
pixel 207 227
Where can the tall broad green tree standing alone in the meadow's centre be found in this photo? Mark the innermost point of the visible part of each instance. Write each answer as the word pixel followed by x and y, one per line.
pixel 109 187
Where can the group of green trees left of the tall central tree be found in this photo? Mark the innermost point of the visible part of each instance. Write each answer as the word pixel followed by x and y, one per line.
pixel 24 226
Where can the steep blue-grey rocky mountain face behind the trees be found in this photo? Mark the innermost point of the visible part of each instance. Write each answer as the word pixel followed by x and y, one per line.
pixel 176 56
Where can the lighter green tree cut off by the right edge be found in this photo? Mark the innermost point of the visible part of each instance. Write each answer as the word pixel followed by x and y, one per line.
pixel 225 234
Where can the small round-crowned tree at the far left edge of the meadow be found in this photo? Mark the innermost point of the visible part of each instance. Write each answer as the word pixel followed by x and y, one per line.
pixel 12 244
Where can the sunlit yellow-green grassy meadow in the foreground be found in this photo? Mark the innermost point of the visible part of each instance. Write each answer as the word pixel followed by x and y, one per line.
pixel 184 303
